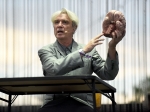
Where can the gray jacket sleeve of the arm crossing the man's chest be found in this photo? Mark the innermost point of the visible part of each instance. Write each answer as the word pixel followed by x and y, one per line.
pixel 53 66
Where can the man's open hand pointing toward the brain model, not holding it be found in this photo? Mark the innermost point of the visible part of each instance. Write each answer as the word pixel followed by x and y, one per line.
pixel 93 42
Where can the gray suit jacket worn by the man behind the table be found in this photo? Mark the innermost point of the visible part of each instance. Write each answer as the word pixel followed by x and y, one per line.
pixel 56 63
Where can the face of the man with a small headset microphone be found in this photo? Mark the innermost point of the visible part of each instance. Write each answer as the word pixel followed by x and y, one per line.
pixel 63 27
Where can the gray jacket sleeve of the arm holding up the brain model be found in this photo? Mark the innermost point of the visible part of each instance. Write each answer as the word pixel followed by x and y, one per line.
pixel 106 70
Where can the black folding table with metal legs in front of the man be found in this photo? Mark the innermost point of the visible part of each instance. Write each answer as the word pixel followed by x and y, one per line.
pixel 55 85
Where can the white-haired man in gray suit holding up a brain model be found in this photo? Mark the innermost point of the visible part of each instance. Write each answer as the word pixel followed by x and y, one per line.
pixel 66 57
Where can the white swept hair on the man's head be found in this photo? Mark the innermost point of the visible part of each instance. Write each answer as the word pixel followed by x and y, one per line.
pixel 71 15
